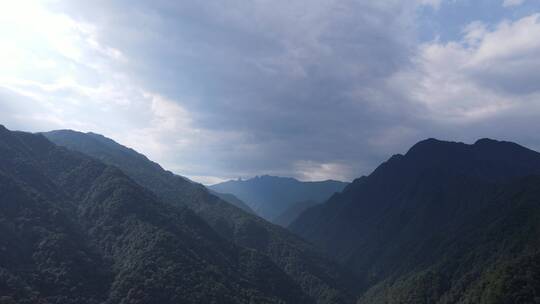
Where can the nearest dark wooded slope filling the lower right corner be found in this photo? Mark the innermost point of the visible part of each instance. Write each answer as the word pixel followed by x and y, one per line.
pixel 494 257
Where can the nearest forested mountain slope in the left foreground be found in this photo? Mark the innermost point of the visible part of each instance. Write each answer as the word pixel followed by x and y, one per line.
pixel 75 230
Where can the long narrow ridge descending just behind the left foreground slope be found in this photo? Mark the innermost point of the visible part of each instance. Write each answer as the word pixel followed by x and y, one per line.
pixel 319 277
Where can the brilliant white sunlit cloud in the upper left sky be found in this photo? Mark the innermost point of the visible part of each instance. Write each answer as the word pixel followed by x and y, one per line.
pixel 56 72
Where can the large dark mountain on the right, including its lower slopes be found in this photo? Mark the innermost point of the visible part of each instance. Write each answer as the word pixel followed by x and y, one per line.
pixel 445 223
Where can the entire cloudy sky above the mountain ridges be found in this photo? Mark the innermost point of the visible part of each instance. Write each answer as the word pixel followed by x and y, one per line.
pixel 311 89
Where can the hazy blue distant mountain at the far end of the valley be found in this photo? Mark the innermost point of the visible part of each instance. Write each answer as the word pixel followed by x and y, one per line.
pixel 271 196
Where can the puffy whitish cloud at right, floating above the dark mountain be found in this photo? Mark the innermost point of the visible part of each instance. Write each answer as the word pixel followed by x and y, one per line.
pixel 488 73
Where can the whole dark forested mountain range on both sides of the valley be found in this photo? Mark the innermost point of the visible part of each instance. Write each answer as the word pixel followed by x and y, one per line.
pixel 84 219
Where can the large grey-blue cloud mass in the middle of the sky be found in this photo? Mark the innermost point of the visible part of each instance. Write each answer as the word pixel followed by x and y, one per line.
pixel 277 79
